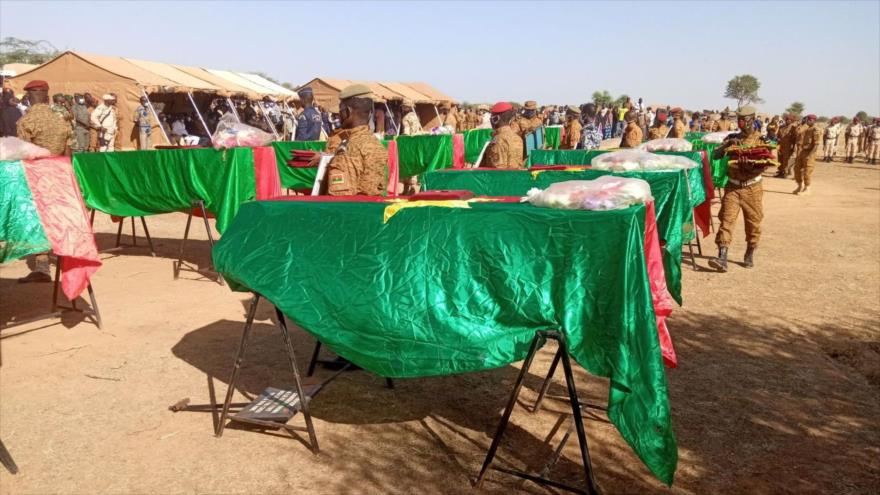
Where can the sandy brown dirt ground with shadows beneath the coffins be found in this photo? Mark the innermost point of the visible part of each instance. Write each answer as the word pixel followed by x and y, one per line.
pixel 776 392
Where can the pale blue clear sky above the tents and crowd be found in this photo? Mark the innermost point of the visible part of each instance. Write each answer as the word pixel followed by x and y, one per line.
pixel 824 54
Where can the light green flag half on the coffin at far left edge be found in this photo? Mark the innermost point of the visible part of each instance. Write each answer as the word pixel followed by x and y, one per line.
pixel 21 232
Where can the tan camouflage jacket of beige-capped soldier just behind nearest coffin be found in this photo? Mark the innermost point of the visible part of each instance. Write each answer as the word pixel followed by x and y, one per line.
pixel 359 165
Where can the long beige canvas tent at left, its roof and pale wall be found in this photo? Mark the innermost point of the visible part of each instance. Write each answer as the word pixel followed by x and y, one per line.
pixel 129 79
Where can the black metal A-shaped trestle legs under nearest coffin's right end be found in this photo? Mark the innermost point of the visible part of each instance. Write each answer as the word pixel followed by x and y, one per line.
pixel 591 488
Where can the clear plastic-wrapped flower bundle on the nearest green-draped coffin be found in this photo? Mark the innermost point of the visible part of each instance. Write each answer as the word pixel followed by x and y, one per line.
pixel 605 193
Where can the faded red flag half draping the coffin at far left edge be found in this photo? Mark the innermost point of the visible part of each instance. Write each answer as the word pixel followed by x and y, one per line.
pixel 63 215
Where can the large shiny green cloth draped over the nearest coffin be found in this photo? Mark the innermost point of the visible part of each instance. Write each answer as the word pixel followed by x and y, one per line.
pixel 439 291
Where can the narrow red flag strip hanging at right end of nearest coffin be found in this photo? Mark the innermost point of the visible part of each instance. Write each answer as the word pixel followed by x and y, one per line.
pixel 659 293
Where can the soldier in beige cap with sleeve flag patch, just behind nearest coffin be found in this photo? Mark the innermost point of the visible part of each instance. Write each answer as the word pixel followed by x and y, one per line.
pixel 360 161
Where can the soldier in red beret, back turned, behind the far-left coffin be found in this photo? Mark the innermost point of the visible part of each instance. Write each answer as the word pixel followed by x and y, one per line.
pixel 42 127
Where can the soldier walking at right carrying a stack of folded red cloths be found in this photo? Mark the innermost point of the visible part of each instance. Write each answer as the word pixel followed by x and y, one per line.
pixel 743 191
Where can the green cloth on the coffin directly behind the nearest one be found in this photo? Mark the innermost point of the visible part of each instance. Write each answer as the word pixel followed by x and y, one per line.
pixel 668 188
